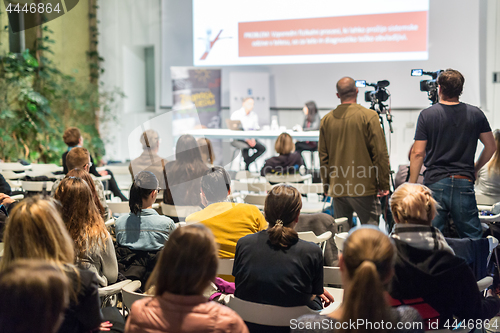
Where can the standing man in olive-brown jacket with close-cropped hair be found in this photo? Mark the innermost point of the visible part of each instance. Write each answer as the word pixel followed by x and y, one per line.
pixel 353 156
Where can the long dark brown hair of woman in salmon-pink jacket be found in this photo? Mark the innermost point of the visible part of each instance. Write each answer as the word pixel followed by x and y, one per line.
pixel 188 262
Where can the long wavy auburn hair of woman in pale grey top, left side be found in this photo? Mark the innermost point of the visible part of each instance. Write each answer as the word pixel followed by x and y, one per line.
pixel 79 213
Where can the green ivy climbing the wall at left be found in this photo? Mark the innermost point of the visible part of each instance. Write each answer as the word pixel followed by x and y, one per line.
pixel 38 102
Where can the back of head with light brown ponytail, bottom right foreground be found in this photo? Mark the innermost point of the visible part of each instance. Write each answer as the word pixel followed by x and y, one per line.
pixel 368 260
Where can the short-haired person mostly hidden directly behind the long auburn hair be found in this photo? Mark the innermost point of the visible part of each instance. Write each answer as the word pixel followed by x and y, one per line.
pixel 79 158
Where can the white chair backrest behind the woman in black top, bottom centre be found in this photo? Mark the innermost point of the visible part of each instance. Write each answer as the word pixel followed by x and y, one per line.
pixel 264 314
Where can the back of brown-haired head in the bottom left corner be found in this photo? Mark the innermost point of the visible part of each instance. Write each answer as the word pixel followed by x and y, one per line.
pixel 33 297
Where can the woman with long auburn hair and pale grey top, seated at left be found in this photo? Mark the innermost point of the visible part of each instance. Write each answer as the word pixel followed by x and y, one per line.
pixel 93 245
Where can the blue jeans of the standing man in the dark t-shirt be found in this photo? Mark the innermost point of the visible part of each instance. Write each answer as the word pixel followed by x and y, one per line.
pixel 457 198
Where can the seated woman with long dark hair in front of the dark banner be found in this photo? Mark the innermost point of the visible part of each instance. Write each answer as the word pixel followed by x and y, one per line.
pixel 183 175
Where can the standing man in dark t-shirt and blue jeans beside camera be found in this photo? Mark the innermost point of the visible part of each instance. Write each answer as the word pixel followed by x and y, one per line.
pixel 446 136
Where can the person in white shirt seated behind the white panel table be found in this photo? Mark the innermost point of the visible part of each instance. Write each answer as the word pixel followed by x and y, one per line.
pixel 250 122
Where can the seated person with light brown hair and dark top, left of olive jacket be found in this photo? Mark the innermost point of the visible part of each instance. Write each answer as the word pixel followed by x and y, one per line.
pixel 287 162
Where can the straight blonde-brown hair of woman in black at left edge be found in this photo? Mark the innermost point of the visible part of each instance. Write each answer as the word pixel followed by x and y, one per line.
pixel 35 230
